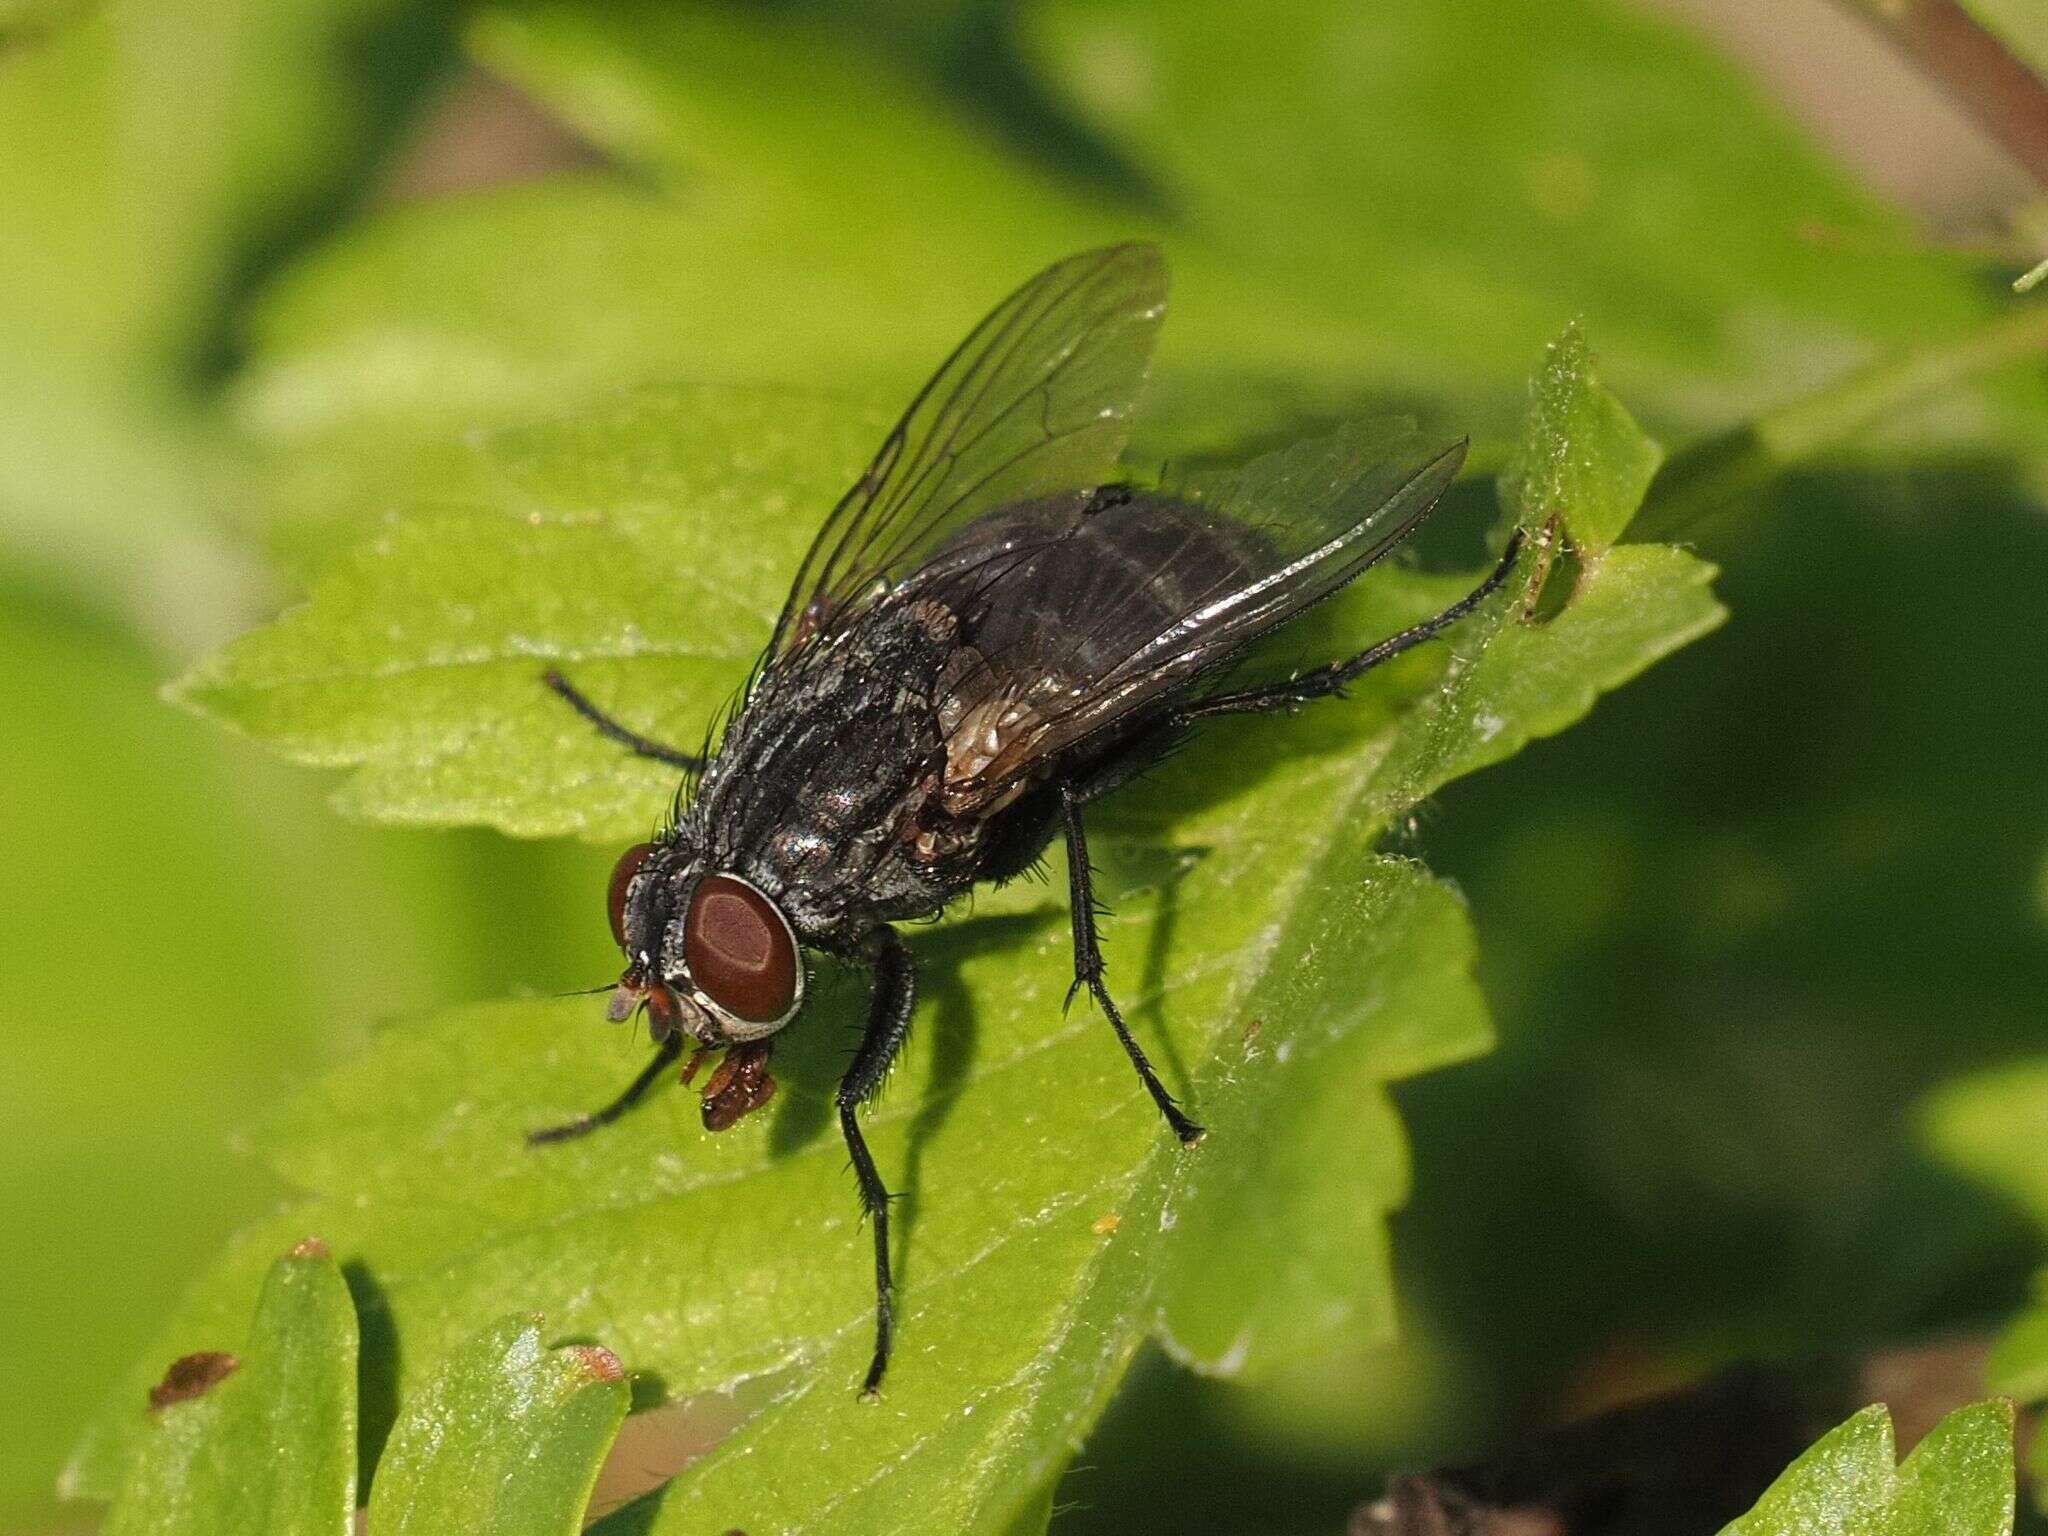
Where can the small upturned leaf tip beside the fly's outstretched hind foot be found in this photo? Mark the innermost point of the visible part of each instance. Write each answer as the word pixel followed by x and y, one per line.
pixel 1582 458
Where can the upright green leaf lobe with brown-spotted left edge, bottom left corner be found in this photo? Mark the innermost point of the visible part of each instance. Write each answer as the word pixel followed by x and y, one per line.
pixel 271 1449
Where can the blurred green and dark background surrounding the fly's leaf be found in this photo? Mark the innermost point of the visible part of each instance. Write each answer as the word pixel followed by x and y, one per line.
pixel 265 265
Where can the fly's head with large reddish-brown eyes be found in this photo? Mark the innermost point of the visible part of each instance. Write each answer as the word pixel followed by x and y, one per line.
pixel 708 953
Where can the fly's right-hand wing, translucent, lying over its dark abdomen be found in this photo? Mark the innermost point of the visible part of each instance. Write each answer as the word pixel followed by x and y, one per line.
pixel 1076 620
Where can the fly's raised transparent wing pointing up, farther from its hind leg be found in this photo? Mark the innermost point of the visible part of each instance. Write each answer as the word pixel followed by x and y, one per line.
pixel 1035 402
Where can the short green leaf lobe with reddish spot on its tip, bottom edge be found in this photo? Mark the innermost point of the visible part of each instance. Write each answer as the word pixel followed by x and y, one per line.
pixel 507 1439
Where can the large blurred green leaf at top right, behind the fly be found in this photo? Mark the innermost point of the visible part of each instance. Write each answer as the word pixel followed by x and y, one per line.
pixel 1447 185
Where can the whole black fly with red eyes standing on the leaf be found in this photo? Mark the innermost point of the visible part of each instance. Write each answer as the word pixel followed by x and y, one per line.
pixel 986 638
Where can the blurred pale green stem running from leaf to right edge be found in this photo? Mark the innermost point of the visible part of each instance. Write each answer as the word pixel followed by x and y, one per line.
pixel 1711 476
